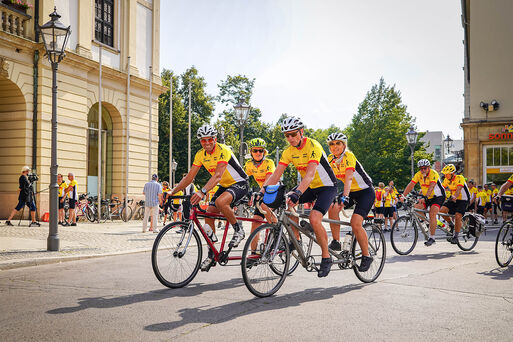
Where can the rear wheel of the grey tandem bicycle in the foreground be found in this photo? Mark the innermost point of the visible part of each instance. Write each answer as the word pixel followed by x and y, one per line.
pixel 377 250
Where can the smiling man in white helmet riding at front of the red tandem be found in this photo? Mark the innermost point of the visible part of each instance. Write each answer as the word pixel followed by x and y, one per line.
pixel 226 172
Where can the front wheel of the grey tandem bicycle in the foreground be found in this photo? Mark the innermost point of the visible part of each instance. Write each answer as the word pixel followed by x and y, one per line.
pixel 259 266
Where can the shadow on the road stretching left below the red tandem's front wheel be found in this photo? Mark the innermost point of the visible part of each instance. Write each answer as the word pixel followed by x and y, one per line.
pixel 156 295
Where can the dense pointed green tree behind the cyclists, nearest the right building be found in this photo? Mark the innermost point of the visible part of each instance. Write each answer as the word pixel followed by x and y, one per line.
pixel 377 135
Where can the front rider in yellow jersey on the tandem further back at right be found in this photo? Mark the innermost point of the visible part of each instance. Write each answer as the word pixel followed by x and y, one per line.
pixel 433 191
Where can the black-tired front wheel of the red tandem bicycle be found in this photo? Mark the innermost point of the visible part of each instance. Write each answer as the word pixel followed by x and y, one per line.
pixel 166 235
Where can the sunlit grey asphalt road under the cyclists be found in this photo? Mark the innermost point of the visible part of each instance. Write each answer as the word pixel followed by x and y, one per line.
pixel 437 293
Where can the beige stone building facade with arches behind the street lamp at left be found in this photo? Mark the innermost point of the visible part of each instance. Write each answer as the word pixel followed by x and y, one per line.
pixel 128 34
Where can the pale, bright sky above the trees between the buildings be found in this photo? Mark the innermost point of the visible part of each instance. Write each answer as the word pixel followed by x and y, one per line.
pixel 317 59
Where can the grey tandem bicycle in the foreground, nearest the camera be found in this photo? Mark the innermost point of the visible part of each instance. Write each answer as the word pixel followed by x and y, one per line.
pixel 265 269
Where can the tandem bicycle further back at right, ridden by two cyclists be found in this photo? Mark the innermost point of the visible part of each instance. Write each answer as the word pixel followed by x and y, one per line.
pixel 405 230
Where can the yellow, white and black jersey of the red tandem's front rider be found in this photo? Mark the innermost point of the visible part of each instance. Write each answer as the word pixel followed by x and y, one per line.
pixel 221 154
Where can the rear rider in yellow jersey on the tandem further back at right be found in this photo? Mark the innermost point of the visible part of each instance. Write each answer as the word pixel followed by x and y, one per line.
pixel 458 202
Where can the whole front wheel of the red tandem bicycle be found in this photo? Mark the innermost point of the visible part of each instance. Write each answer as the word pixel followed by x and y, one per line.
pixel 176 262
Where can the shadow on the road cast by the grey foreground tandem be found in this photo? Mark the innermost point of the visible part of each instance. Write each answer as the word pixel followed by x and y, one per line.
pixel 227 312
